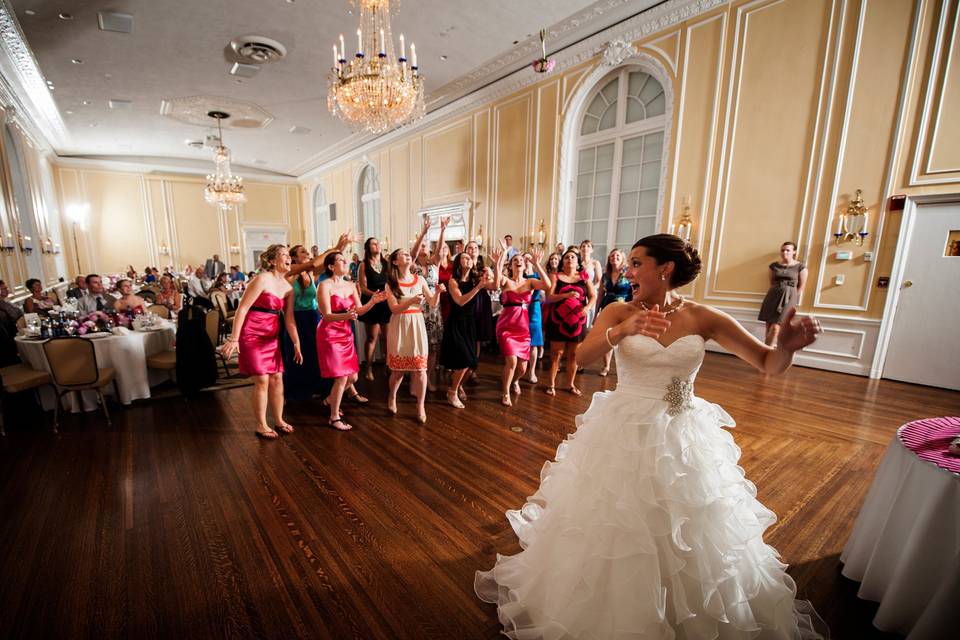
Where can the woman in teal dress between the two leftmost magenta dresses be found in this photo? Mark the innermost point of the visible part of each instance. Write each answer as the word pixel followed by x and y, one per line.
pixel 303 381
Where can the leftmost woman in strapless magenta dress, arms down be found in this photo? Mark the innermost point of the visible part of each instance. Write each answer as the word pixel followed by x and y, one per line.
pixel 256 331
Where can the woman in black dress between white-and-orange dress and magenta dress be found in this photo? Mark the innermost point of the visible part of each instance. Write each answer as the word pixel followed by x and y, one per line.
pixel 458 351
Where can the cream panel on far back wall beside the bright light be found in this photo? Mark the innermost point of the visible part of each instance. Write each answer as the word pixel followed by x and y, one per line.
pixel 118 219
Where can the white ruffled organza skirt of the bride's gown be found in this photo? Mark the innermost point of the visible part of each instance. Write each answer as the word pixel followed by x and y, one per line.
pixel 645 527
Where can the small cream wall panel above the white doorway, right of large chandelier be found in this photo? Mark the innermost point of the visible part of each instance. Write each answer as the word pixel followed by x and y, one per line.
pixel 448 163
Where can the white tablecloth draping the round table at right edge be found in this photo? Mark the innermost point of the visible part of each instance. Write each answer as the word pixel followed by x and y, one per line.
pixel 905 547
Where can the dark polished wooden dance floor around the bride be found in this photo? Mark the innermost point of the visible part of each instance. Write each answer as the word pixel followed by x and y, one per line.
pixel 176 522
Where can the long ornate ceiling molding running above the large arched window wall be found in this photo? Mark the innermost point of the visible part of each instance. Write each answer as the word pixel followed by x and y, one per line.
pixel 640 26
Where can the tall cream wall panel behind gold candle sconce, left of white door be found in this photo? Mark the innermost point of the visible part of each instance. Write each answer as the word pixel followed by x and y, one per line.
pixel 876 69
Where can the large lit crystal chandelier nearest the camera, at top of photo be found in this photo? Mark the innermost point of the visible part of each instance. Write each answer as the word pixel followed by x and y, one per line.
pixel 375 92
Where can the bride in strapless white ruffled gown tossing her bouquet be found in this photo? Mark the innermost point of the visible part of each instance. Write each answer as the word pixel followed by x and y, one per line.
pixel 645 527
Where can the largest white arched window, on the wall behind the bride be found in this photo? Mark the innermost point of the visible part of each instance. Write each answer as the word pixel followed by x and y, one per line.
pixel 619 161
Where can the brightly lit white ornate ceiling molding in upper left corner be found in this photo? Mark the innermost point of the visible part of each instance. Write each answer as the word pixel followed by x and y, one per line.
pixel 23 86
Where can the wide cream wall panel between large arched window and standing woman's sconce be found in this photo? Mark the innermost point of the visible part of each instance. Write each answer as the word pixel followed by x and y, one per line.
pixel 780 45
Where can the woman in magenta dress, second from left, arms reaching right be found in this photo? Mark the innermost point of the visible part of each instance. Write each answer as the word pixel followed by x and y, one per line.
pixel 339 303
